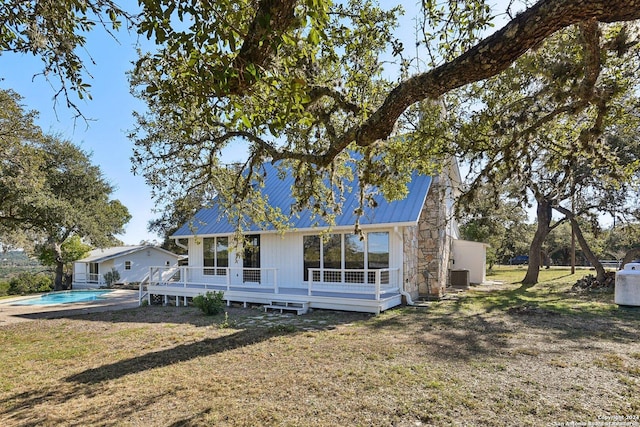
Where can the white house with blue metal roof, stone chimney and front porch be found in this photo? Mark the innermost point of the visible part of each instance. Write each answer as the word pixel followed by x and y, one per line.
pixel 404 252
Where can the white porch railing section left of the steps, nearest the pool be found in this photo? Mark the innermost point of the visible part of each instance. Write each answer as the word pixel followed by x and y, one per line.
pixel 214 277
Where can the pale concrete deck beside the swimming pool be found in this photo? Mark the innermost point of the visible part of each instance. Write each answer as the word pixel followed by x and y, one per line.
pixel 116 300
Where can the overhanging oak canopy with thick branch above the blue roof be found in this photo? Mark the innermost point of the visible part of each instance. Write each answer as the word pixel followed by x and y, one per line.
pixel 304 82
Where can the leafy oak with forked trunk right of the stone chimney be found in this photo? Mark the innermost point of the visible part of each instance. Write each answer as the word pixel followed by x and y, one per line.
pixel 560 125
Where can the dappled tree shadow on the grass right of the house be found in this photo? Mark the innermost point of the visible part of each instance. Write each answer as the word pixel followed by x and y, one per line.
pixel 483 323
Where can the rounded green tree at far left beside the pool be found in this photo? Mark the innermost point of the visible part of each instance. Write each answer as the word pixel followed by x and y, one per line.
pixel 50 191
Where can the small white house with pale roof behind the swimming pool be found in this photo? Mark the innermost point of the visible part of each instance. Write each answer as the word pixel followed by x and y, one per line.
pixel 133 263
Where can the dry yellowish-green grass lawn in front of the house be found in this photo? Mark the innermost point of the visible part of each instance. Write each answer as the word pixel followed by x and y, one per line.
pixel 498 355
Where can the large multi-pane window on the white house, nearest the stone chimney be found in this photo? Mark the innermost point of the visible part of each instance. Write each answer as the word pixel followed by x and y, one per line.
pixel 346 252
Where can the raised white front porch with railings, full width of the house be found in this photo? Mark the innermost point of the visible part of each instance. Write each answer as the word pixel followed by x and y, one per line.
pixel 363 290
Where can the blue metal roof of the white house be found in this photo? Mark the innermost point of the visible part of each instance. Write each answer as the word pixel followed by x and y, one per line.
pixel 211 221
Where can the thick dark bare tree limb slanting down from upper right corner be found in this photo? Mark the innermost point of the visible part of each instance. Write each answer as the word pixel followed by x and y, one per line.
pixel 488 58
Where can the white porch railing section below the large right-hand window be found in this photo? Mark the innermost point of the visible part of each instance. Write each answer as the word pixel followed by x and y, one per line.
pixel 354 281
